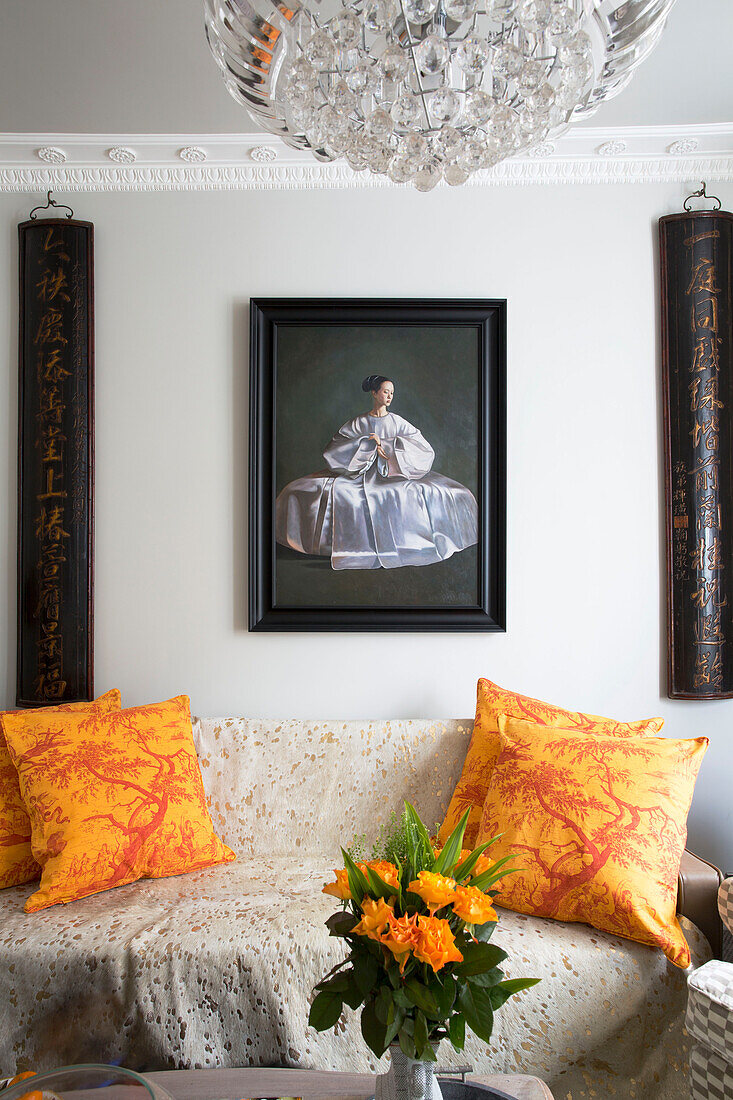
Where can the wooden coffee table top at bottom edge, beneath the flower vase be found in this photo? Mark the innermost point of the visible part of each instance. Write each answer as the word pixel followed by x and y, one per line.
pixel 312 1085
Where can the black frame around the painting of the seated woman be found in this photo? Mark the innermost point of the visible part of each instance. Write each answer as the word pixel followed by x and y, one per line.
pixel 489 318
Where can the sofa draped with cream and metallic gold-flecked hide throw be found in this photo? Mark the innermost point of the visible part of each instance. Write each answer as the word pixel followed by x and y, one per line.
pixel 216 969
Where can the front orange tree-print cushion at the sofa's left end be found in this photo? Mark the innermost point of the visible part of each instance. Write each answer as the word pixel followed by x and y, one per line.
pixel 112 798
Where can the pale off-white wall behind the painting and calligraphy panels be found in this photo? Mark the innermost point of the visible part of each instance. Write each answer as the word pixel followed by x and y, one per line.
pixel 174 277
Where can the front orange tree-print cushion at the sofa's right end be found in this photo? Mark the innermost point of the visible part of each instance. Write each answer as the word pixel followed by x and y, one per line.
pixel 598 826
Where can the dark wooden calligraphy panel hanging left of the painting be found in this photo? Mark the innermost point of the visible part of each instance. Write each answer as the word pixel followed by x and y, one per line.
pixel 56 500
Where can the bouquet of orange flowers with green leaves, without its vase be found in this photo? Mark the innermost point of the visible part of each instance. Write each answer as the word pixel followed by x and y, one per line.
pixel 418 927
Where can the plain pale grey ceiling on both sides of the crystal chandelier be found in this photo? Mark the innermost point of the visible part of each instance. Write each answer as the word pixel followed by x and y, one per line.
pixel 144 67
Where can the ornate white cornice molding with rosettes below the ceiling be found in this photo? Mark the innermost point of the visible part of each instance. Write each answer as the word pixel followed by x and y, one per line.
pixel 248 162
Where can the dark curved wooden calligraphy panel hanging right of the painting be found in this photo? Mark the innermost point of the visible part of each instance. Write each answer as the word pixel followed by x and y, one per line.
pixel 697 334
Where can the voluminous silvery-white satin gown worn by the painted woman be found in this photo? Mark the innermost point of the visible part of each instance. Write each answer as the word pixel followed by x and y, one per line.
pixel 366 512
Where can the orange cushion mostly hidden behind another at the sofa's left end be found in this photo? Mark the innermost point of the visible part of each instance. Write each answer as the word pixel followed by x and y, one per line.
pixel 17 862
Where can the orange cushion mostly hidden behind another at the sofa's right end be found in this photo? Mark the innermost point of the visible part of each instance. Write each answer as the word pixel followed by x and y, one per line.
pixel 485 746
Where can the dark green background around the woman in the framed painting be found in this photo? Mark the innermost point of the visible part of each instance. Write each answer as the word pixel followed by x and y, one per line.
pixel 319 389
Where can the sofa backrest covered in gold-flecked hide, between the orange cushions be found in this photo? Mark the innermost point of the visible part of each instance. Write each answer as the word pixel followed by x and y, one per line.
pixel 297 788
